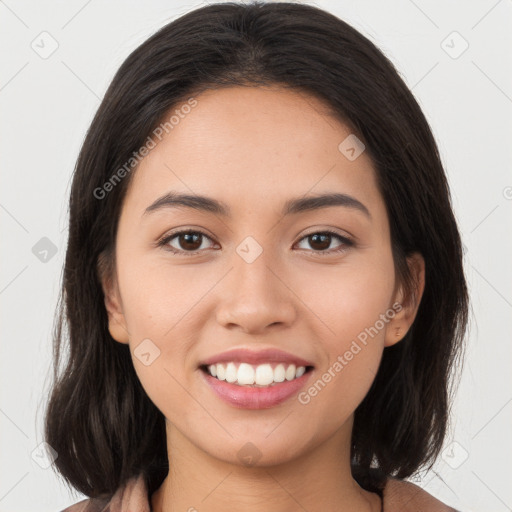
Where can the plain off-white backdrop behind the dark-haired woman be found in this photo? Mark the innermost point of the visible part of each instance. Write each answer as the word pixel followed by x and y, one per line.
pixel 57 59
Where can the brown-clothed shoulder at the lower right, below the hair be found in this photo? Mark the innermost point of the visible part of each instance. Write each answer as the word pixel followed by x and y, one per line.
pixel 403 496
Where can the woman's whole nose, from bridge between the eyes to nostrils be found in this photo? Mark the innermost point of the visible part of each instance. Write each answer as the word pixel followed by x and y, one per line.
pixel 255 296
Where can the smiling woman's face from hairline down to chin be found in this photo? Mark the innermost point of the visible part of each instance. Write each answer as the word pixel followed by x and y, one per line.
pixel 255 277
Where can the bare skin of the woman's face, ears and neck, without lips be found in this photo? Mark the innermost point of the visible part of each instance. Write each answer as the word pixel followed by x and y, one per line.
pixel 254 148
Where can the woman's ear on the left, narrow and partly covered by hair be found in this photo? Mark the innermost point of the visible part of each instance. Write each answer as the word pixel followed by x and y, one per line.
pixel 112 297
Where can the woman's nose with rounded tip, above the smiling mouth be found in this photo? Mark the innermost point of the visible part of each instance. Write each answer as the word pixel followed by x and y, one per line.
pixel 255 297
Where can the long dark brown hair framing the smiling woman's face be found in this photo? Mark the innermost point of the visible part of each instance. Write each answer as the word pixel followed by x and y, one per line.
pixel 99 419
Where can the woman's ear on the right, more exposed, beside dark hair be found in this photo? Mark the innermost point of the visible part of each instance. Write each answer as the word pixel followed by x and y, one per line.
pixel 406 303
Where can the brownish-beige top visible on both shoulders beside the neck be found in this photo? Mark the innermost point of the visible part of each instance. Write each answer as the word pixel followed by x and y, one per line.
pixel 399 496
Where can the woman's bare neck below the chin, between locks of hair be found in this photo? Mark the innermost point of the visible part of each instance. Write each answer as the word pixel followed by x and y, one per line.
pixel 318 480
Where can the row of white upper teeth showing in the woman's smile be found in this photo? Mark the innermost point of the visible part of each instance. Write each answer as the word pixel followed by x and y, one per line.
pixel 261 375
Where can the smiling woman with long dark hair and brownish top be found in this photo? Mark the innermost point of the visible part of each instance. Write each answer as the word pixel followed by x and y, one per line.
pixel 263 283
